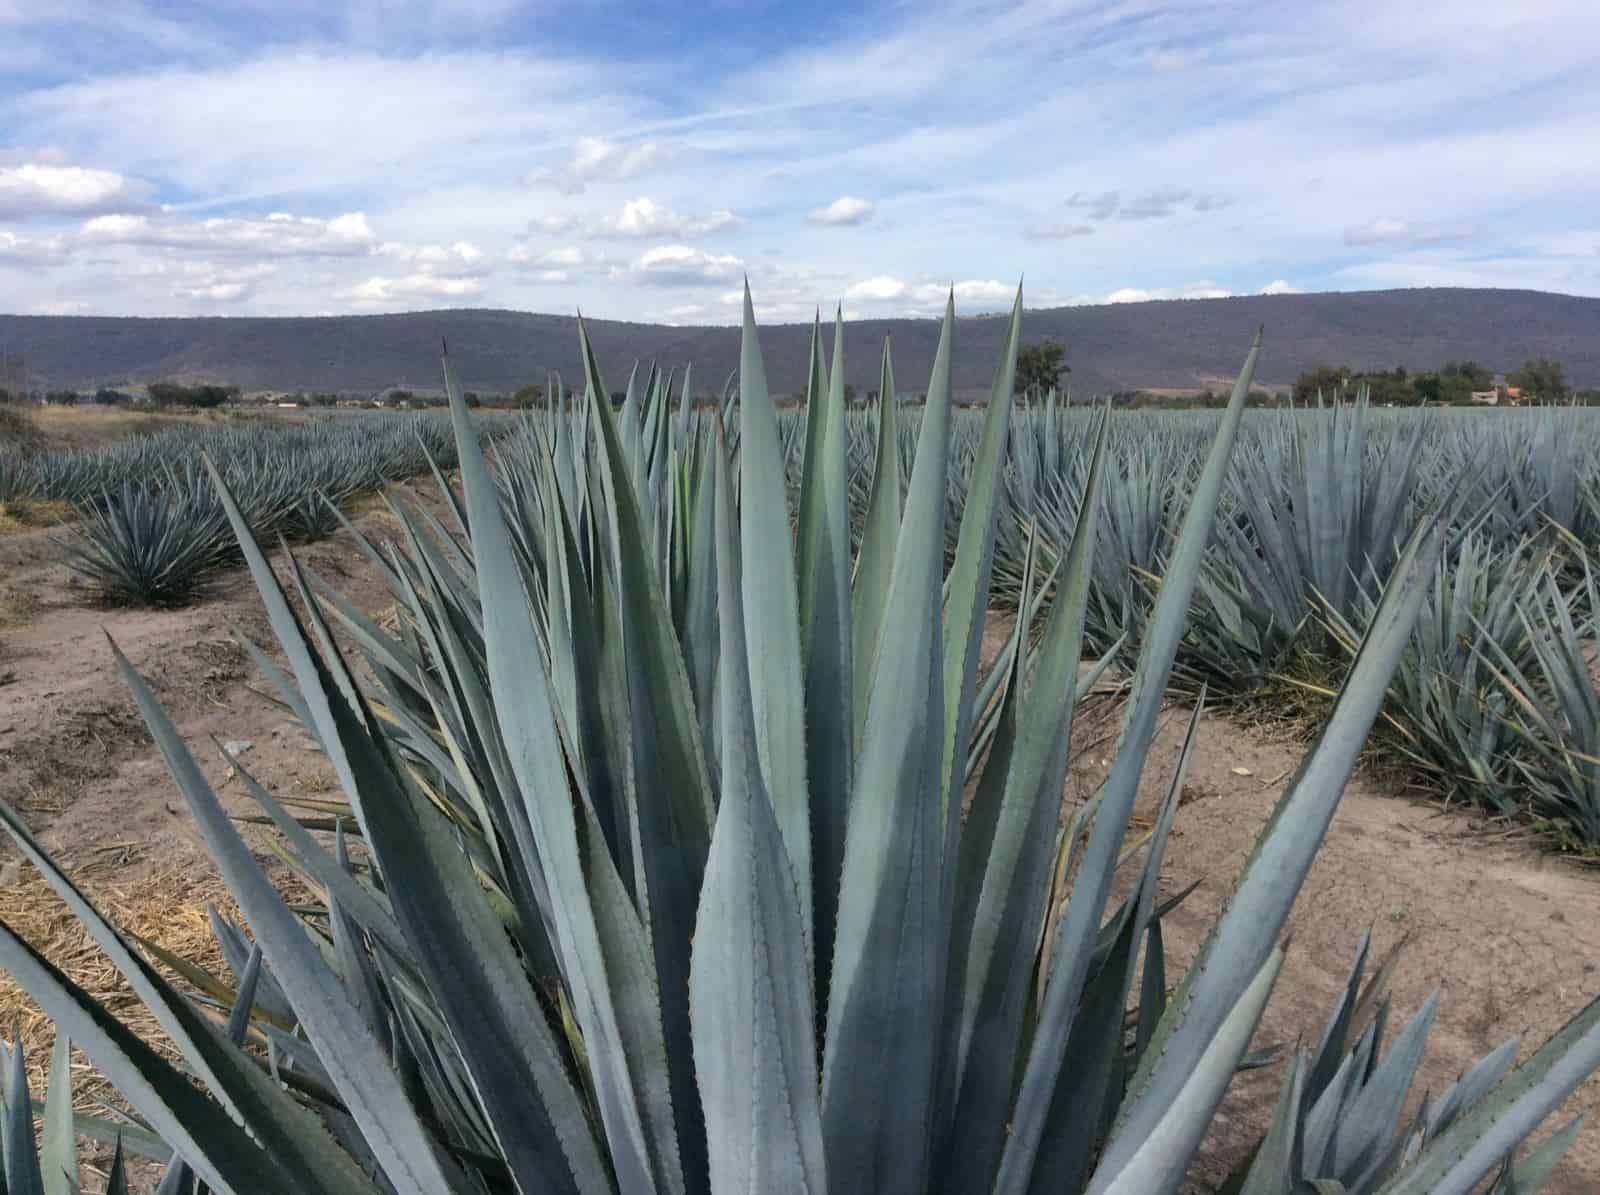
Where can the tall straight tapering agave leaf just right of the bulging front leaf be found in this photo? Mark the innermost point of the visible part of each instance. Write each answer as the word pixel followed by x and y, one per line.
pixel 887 985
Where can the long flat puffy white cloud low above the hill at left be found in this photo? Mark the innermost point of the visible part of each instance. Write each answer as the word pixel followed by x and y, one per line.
pixel 273 236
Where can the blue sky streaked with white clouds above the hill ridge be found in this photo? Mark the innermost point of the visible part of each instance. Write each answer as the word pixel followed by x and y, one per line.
pixel 638 161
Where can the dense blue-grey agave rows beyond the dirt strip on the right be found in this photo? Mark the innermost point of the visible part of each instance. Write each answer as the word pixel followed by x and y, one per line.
pixel 1490 703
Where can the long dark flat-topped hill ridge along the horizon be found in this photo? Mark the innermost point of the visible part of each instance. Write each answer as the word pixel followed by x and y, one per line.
pixel 1170 345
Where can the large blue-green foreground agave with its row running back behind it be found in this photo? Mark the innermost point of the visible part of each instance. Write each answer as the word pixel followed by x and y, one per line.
pixel 686 849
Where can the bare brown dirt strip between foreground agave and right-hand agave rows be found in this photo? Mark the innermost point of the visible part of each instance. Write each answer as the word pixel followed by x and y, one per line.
pixel 1511 938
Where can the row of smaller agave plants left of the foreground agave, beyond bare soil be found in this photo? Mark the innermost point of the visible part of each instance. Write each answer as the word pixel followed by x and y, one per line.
pixel 151 526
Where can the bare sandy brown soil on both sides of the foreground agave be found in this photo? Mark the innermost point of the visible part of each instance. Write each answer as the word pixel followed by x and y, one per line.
pixel 1511 937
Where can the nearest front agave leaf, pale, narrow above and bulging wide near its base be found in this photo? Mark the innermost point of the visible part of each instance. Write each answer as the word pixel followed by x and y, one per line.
pixel 751 1007
